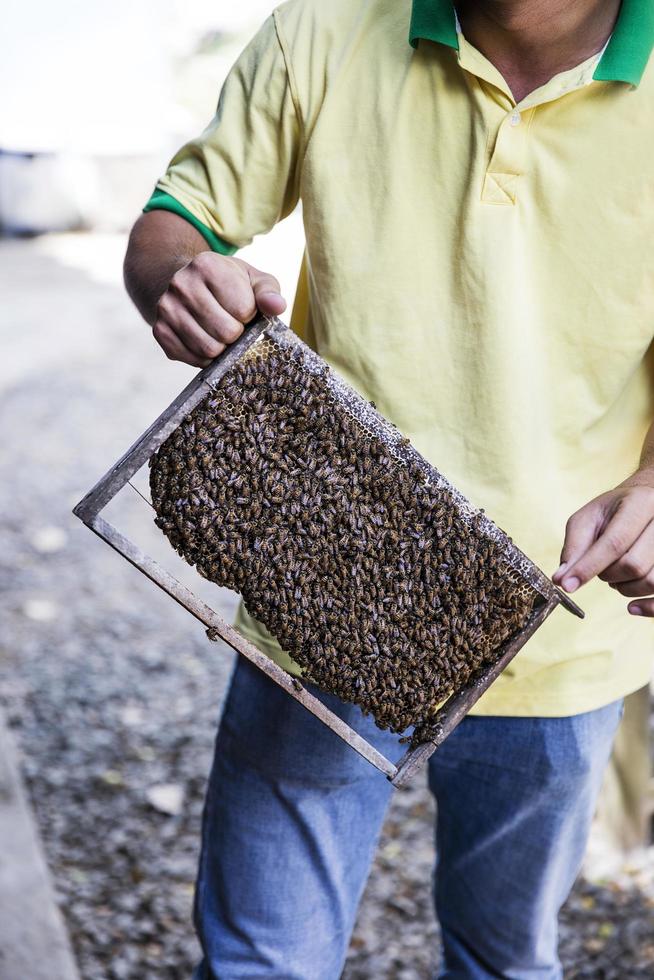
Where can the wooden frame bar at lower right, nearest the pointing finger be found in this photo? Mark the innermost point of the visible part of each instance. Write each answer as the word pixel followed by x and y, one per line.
pixel 457 707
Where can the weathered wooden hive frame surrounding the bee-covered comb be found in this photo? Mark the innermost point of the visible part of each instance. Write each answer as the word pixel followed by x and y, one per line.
pixel 89 510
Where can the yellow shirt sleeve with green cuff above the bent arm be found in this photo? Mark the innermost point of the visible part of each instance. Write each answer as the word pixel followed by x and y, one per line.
pixel 240 176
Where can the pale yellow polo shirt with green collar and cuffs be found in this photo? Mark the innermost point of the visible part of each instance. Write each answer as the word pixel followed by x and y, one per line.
pixel 482 270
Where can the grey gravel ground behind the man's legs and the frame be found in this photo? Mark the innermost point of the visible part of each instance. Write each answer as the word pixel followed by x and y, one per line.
pixel 114 693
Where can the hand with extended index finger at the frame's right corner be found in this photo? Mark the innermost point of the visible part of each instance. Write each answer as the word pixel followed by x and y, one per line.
pixel 613 537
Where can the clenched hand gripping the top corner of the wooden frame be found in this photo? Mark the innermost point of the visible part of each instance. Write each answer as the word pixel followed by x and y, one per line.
pixel 207 303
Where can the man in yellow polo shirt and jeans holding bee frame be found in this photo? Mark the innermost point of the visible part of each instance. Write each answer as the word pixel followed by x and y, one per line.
pixel 479 211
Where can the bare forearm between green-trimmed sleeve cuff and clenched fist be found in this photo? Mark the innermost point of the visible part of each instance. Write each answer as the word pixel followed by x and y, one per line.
pixel 160 244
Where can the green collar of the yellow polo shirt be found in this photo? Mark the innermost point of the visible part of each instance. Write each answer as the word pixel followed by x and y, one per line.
pixel 624 59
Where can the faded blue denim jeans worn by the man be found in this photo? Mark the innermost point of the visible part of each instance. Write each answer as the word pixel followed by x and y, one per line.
pixel 292 817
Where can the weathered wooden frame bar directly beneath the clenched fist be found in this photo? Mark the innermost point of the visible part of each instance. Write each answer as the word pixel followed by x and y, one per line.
pixel 108 486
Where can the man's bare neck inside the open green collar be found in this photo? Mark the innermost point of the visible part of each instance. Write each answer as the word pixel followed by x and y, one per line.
pixel 530 41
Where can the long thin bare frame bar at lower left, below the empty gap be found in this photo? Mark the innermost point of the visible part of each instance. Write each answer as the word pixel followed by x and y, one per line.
pixel 232 638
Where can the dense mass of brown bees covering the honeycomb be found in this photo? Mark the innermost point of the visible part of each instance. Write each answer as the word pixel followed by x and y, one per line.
pixel 365 571
